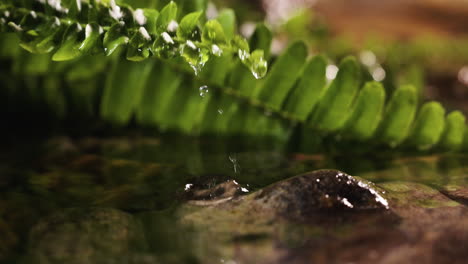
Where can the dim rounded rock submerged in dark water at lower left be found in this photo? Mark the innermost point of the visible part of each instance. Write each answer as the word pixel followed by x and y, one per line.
pixel 90 235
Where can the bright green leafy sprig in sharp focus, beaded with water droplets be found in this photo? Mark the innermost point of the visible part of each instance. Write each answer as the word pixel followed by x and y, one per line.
pixel 70 29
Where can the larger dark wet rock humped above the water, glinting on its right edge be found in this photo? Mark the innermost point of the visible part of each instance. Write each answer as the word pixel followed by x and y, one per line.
pixel 318 190
